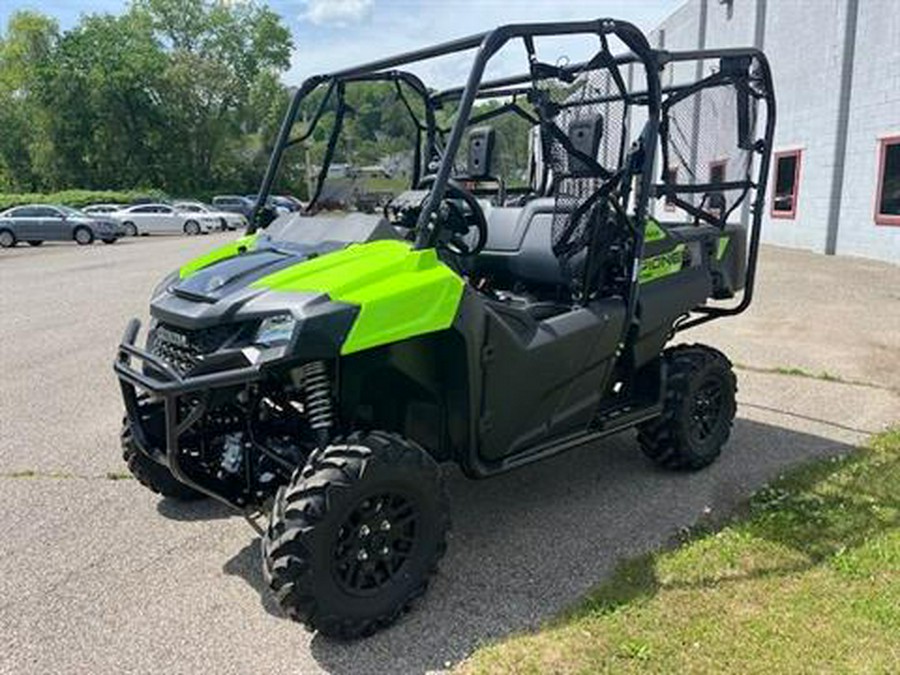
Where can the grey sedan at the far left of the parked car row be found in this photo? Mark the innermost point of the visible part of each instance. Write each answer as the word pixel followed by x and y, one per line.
pixel 37 223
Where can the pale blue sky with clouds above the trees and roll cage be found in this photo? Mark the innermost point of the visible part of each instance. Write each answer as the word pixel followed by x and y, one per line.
pixel 334 34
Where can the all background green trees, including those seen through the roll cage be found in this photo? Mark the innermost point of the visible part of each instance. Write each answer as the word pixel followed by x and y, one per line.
pixel 185 95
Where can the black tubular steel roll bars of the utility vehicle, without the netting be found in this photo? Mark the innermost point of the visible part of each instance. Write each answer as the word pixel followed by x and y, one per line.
pixel 487 44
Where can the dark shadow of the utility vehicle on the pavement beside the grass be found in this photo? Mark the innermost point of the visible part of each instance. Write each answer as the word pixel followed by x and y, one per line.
pixel 527 544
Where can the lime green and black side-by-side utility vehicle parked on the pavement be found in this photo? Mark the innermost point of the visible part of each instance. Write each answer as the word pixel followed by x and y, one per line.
pixel 555 231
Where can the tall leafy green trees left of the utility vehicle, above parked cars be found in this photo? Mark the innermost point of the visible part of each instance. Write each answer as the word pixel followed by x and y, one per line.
pixel 181 94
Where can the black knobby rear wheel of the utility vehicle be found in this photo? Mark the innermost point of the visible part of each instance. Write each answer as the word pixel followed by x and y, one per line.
pixel 698 411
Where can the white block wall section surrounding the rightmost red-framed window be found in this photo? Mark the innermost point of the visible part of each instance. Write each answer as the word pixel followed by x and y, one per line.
pixel 874 114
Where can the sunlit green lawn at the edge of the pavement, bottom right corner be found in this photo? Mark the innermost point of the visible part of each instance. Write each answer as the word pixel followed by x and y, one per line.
pixel 805 580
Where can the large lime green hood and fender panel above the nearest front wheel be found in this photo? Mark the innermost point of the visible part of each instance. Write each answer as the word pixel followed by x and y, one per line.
pixel 401 292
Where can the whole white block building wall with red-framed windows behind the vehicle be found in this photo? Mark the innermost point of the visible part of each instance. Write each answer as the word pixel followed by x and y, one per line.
pixel 804 41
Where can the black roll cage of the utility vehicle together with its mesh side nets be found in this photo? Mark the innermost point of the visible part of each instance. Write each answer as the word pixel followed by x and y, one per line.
pixel 635 169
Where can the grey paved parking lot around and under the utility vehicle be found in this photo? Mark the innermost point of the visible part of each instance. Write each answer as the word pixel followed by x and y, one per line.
pixel 99 575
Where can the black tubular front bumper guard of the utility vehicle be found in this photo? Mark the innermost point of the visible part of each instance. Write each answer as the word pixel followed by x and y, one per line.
pixel 163 383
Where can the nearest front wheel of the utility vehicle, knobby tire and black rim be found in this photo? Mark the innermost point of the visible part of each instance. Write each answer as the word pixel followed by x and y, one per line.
pixel 356 534
